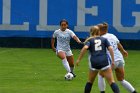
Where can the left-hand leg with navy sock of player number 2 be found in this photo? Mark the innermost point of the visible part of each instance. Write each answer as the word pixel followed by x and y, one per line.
pixel 91 79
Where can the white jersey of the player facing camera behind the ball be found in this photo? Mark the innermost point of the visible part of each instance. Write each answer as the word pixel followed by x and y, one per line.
pixel 63 39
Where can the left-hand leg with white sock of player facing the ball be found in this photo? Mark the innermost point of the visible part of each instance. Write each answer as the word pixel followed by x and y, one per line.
pixel 65 63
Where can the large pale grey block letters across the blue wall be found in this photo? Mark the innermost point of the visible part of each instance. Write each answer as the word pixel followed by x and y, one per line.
pixel 81 19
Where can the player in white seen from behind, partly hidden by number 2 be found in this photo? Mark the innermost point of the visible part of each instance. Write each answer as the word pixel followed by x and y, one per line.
pixel 119 52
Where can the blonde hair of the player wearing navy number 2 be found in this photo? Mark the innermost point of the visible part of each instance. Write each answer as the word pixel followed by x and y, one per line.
pixel 94 31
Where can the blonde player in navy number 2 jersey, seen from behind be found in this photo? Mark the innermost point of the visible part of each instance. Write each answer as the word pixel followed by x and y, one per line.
pixel 98 60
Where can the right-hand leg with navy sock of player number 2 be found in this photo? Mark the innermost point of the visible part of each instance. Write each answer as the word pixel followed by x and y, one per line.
pixel 109 77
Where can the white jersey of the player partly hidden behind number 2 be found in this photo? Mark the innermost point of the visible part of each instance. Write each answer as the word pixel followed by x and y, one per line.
pixel 114 41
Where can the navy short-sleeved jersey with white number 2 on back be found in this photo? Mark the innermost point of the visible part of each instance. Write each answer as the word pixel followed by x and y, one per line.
pixel 98 52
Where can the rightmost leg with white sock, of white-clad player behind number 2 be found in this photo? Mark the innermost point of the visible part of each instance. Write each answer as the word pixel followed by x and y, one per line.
pixel 120 77
